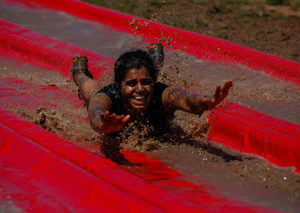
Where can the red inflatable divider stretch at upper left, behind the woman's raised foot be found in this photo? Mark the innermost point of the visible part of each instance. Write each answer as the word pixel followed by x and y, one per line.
pixel 48 53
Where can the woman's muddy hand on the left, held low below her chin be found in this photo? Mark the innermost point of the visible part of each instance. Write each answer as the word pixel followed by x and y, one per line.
pixel 112 123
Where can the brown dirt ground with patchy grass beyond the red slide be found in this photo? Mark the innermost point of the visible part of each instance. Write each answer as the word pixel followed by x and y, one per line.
pixel 271 26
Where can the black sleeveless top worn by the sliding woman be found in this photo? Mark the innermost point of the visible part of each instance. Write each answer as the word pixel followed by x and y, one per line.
pixel 155 115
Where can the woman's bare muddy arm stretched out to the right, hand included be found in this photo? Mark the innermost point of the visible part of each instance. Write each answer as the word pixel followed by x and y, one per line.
pixel 176 99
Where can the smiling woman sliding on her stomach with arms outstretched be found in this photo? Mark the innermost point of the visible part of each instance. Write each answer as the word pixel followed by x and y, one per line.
pixel 136 95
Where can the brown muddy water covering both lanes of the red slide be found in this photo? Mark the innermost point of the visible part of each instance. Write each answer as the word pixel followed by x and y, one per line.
pixel 184 147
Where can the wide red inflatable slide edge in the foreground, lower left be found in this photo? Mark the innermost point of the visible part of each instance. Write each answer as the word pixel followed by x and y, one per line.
pixel 41 172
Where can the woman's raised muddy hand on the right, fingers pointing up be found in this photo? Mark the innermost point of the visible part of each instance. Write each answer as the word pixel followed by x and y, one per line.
pixel 220 95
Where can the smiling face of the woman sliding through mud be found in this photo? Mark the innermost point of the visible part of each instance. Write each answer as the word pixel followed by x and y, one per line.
pixel 137 89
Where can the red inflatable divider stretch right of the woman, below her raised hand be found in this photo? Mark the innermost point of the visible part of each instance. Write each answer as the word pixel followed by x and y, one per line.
pixel 249 131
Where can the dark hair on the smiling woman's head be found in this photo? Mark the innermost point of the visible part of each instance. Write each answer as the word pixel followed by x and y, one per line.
pixel 134 59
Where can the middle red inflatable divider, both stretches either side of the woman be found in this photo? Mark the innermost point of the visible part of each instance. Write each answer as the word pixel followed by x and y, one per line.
pixel 272 143
